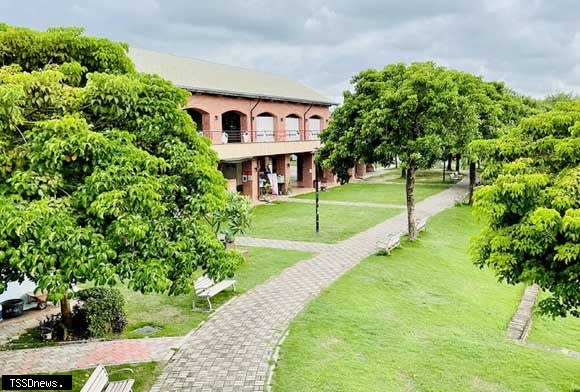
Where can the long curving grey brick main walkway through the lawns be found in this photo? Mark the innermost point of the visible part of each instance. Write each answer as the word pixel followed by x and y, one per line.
pixel 232 350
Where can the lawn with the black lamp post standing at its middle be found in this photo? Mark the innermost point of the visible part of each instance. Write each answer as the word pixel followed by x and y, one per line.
pixel 293 221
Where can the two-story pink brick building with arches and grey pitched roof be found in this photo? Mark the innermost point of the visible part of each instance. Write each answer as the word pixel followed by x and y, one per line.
pixel 257 122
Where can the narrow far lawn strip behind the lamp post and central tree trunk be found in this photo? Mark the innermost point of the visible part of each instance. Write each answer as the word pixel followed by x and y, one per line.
pixel 376 193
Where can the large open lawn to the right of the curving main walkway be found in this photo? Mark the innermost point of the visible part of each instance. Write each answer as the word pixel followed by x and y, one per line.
pixel 422 319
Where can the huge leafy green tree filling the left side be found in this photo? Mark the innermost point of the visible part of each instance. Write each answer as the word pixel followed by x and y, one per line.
pixel 102 175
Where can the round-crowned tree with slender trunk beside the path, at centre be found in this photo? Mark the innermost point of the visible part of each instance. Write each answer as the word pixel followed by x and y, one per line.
pixel 405 111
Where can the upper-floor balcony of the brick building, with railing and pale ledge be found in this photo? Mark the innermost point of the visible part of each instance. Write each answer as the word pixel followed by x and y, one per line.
pixel 240 144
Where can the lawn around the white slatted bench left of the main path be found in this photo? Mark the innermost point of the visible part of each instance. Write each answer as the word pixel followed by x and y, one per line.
pixel 173 315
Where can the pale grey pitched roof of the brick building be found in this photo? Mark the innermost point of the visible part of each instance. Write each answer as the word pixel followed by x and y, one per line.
pixel 203 76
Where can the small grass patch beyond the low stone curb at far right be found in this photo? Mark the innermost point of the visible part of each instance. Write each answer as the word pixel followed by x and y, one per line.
pixel 560 332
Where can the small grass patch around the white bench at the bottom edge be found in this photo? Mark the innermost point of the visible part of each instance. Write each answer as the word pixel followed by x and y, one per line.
pixel 144 375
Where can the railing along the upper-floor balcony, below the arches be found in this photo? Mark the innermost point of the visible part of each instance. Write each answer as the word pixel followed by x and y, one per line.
pixel 261 136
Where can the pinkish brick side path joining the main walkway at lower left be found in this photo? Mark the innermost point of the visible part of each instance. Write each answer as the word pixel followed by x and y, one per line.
pixel 87 355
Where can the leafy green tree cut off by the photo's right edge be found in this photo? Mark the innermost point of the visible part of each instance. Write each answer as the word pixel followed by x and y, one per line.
pixel 531 206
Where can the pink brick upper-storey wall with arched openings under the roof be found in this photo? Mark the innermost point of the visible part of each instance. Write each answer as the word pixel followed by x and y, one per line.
pixel 212 107
